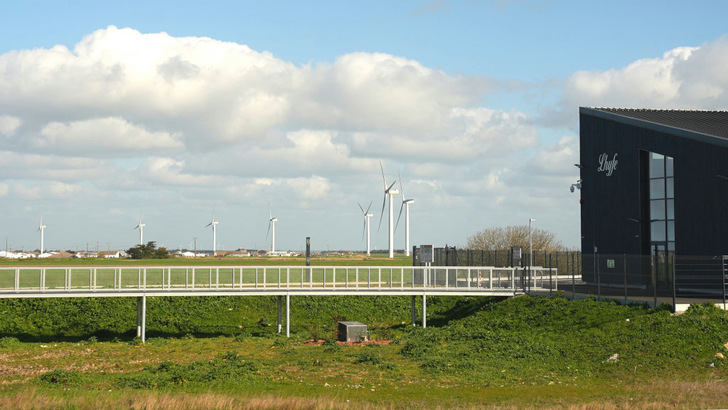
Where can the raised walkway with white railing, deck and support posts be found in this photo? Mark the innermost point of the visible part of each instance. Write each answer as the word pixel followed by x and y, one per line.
pixel 281 281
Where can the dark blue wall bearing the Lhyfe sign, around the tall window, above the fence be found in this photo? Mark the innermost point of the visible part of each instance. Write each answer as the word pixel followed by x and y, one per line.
pixel 615 212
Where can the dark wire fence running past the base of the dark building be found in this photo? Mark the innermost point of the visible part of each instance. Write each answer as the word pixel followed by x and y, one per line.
pixel 661 277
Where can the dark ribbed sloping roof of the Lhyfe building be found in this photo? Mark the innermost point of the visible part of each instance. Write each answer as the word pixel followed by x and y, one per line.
pixel 711 123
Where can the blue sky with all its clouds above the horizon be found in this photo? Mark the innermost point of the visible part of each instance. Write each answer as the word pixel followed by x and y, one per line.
pixel 168 112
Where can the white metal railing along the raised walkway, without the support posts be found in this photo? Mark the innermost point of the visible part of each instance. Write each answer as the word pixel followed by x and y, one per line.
pixel 14 280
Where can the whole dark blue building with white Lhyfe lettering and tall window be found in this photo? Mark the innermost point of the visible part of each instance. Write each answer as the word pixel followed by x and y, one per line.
pixel 654 197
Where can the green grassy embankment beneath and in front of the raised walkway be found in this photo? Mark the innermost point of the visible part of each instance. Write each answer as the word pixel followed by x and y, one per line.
pixel 223 352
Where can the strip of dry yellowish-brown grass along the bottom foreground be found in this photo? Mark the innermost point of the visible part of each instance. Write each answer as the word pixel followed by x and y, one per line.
pixel 657 395
